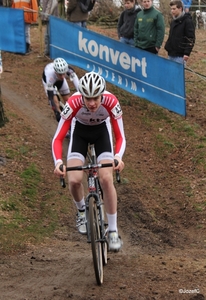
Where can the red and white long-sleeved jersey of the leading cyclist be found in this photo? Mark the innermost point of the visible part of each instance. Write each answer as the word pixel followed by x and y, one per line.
pixel 109 109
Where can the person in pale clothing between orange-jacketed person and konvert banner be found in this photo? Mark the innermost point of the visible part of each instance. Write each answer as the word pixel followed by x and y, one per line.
pixel 48 7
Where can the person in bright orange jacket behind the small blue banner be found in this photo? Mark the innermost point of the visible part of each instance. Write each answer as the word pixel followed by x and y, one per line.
pixel 30 8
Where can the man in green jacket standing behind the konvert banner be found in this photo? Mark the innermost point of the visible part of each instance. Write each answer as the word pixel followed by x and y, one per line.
pixel 149 28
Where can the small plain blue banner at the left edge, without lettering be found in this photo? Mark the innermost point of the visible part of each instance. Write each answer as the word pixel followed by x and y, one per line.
pixel 12 30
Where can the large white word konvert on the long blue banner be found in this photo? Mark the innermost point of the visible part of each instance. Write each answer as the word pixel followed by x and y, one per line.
pixel 110 55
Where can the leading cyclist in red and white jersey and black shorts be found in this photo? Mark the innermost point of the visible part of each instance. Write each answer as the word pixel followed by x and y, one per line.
pixel 92 113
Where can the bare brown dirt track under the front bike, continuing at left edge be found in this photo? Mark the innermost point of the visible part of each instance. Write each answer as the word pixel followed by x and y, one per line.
pixel 62 268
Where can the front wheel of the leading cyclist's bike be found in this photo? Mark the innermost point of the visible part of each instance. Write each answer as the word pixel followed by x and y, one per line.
pixel 96 241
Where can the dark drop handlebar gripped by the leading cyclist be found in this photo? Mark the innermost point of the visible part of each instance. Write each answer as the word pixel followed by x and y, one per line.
pixel 87 167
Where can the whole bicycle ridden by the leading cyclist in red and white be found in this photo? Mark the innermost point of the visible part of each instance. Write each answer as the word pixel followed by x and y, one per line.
pixel 96 224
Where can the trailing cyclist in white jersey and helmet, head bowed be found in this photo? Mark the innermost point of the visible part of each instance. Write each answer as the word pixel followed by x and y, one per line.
pixel 54 80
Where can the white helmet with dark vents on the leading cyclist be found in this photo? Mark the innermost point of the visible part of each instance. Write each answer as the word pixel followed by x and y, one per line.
pixel 92 85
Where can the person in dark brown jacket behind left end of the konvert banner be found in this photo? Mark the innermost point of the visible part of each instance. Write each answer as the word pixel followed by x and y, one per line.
pixel 78 11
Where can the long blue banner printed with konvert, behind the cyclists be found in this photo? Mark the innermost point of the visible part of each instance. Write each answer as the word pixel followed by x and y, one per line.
pixel 141 73
